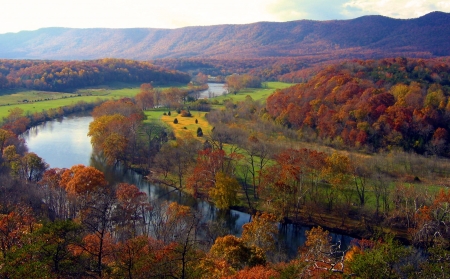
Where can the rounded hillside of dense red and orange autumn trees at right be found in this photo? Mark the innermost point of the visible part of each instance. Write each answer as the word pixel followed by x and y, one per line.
pixel 380 104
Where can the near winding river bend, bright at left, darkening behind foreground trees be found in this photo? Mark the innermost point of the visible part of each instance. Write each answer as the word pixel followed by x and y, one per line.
pixel 63 143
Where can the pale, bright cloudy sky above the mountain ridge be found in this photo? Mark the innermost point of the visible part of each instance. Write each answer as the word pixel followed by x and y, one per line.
pixel 17 15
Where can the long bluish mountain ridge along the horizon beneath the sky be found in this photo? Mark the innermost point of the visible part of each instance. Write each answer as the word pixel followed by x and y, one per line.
pixel 364 37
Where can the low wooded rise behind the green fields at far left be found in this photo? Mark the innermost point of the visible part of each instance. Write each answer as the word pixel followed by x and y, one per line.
pixel 67 75
